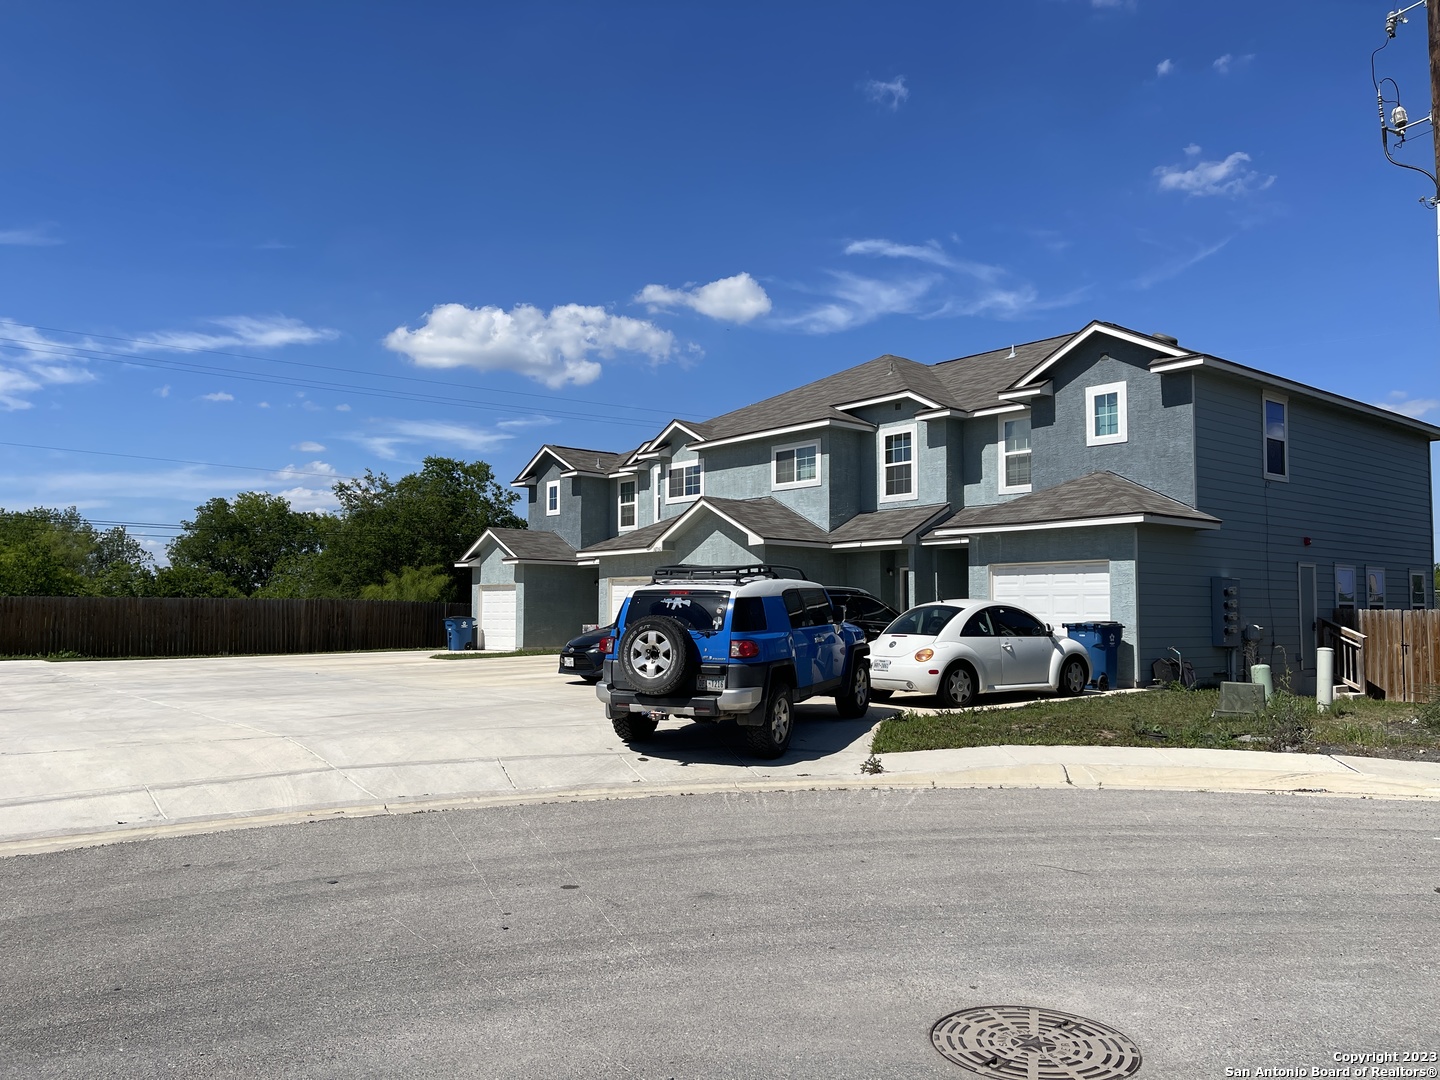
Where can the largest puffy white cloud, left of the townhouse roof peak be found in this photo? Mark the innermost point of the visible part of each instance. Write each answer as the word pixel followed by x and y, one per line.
pixel 554 349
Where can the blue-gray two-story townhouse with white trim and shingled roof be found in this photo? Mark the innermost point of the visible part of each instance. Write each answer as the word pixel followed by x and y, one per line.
pixel 1104 474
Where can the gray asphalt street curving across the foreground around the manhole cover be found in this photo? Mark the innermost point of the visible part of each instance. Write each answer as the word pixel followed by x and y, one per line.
pixel 757 934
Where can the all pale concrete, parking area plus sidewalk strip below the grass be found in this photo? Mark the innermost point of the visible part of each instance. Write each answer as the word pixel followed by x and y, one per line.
pixel 102 752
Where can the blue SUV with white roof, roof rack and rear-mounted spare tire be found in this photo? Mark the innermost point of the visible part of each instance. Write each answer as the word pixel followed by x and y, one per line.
pixel 742 643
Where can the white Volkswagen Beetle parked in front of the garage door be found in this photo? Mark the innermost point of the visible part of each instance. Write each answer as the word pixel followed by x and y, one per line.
pixel 961 649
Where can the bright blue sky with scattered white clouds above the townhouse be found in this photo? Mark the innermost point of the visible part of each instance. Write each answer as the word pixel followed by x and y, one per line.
pixel 257 247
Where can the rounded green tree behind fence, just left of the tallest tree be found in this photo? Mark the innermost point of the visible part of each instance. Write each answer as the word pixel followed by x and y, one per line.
pixel 244 541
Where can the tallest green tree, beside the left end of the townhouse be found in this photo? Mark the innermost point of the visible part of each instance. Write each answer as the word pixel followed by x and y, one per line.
pixel 426 519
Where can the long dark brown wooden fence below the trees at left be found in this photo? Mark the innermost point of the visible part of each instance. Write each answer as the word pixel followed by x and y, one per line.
pixel 165 627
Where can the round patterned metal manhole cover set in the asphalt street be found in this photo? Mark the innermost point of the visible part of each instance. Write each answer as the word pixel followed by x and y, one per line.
pixel 1027 1043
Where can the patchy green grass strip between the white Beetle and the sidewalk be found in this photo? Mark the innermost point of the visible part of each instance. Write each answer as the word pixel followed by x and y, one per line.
pixel 1177 718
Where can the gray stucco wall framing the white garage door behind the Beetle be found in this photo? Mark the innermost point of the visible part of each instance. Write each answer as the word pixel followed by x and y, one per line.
pixel 1112 544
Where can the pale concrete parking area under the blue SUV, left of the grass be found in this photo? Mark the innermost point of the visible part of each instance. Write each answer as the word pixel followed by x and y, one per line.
pixel 97 747
